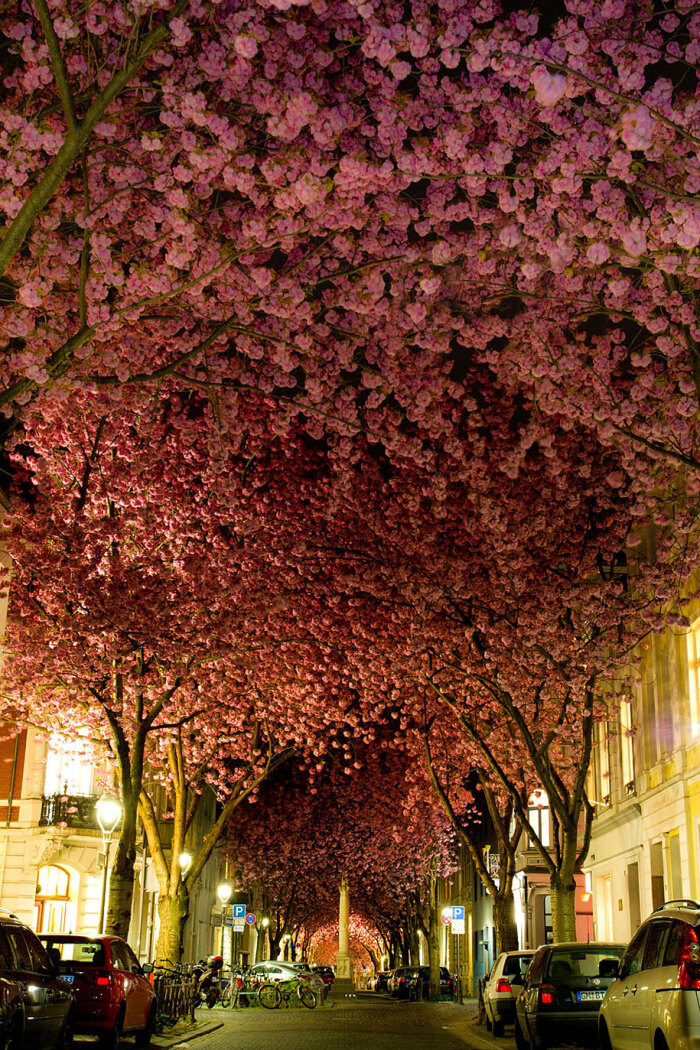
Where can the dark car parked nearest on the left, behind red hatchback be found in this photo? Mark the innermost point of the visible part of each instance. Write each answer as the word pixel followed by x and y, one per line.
pixel 36 1004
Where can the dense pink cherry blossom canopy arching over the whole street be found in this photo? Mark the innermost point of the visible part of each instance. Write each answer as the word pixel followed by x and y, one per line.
pixel 349 360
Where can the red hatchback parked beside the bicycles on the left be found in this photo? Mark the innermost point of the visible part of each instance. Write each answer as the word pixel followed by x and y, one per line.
pixel 113 993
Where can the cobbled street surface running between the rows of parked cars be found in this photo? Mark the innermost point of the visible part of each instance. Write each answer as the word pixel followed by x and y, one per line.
pixel 364 1023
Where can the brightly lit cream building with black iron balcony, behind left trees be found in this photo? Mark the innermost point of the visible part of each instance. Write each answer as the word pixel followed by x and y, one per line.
pixel 52 853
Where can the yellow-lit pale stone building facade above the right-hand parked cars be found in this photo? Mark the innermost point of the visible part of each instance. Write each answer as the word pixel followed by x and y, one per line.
pixel 646 843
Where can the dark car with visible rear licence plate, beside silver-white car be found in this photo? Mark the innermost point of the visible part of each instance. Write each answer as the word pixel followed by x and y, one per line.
pixel 562 993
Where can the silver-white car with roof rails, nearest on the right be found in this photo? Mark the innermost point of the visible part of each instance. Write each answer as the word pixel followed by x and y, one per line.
pixel 654 1000
